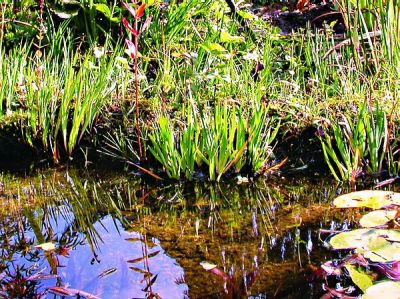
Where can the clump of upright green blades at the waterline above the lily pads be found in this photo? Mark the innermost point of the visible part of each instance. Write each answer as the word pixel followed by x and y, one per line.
pixel 357 147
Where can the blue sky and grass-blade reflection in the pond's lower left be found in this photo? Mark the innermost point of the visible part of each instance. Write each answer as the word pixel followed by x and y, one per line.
pixel 94 255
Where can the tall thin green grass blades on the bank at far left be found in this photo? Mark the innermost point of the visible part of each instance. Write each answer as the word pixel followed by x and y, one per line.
pixel 56 101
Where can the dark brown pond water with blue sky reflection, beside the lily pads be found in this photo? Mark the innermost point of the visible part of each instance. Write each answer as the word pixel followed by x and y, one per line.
pixel 118 237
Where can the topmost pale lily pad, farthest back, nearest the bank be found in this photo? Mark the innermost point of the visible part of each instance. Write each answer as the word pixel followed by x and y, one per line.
pixel 374 199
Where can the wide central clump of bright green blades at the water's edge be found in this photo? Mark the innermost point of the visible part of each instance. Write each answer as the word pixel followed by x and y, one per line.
pixel 223 140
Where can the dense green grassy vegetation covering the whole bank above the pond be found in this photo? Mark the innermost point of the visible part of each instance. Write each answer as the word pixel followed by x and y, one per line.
pixel 213 93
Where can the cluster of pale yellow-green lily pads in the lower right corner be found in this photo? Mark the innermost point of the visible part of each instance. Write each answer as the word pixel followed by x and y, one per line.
pixel 374 264
